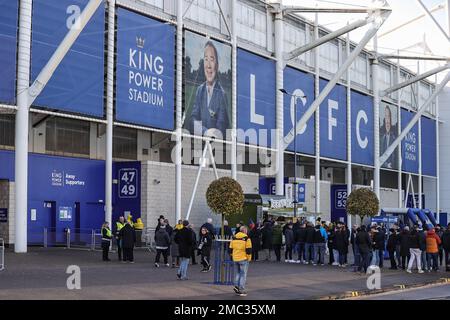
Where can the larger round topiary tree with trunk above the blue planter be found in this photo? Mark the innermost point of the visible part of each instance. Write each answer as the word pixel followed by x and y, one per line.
pixel 226 197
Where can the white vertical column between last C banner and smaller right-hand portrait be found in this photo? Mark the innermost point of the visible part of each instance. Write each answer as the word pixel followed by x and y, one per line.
pixel 376 119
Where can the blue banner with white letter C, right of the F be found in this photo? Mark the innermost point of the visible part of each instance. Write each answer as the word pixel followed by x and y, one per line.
pixel 362 129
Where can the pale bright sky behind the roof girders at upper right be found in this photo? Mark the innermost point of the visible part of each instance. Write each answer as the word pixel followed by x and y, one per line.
pixel 406 38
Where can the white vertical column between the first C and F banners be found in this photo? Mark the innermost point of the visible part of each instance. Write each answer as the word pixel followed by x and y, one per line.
pixel 317 117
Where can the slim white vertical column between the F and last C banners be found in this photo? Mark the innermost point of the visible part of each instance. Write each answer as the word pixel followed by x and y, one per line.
pixel 349 131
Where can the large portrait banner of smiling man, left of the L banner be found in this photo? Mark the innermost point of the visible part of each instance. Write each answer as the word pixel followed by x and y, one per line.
pixel 207 94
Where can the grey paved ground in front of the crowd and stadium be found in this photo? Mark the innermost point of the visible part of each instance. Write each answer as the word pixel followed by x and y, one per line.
pixel 41 274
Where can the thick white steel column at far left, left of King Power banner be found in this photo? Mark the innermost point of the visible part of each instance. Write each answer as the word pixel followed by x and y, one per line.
pixel 21 131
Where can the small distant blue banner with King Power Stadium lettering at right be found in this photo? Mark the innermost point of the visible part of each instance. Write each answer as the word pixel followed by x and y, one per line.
pixel 410 144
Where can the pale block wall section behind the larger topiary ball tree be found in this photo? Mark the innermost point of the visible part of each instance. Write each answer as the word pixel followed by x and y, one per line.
pixel 159 198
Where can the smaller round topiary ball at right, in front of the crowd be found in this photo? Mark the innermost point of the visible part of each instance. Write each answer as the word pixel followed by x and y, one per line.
pixel 363 202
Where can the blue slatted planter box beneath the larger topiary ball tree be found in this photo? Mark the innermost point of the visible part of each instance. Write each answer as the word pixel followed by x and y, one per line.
pixel 223 264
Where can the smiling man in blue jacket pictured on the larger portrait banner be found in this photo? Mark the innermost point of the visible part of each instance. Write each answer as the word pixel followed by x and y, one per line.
pixel 210 107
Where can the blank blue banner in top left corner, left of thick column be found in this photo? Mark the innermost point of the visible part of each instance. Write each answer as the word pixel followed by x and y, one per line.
pixel 8 51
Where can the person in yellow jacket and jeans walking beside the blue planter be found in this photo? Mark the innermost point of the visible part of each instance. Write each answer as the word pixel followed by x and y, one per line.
pixel 241 253
